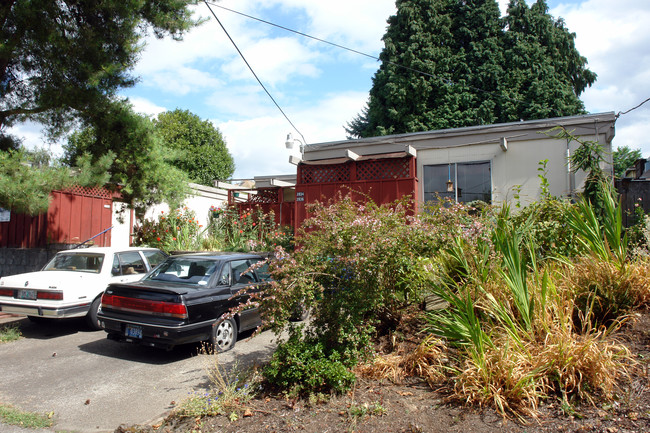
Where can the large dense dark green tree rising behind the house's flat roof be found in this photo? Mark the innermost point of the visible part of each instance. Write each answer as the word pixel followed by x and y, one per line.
pixel 452 63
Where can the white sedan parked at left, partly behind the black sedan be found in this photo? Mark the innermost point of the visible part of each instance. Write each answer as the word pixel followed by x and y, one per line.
pixel 72 283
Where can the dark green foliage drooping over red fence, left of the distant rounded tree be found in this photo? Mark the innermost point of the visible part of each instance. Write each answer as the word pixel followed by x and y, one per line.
pixel 142 170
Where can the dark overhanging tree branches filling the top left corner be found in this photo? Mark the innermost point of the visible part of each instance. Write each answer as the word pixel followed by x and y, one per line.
pixel 61 58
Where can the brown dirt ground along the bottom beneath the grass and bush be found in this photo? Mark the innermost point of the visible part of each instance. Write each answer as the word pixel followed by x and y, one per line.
pixel 413 407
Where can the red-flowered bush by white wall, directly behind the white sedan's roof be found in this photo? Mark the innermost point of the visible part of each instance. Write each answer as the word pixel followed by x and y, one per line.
pixel 178 230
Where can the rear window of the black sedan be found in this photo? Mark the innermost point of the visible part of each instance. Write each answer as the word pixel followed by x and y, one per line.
pixel 184 270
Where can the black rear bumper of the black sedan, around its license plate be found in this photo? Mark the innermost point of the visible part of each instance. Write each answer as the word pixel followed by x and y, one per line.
pixel 155 334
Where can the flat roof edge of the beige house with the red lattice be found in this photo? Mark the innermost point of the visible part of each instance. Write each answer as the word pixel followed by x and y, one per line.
pixel 583 125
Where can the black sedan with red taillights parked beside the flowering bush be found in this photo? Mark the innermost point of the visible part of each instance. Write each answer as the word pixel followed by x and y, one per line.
pixel 187 298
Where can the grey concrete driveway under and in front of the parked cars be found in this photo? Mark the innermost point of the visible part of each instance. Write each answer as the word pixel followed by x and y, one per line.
pixel 94 385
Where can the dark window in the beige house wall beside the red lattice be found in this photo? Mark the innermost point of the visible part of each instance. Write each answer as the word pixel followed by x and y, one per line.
pixel 463 182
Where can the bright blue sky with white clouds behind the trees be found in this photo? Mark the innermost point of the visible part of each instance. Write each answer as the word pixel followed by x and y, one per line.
pixel 320 87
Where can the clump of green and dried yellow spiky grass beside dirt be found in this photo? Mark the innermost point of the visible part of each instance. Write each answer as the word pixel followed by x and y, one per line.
pixel 514 328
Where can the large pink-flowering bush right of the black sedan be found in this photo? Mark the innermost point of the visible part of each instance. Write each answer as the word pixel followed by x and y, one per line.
pixel 356 269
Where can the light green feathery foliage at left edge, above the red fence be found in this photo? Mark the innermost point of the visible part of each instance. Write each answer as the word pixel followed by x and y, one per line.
pixel 27 178
